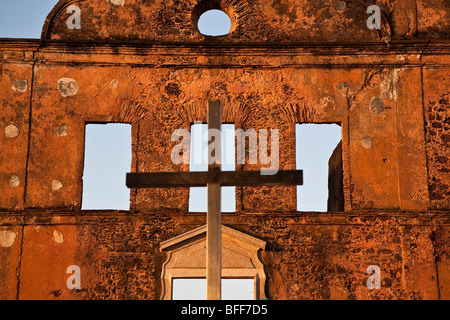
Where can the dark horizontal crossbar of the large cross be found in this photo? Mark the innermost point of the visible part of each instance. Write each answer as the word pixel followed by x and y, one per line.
pixel 224 178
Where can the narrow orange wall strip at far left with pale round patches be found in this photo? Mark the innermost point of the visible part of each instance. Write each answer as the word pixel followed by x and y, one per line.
pixel 15 101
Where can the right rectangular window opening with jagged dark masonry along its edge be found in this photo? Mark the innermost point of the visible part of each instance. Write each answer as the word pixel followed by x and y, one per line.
pixel 319 155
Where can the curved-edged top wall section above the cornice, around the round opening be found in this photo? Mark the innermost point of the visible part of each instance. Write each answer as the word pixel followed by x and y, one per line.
pixel 256 21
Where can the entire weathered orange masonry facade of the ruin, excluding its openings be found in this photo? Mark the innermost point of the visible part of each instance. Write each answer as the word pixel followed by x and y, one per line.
pixel 284 62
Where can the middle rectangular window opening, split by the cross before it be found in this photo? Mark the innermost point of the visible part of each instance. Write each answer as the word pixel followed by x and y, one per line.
pixel 198 162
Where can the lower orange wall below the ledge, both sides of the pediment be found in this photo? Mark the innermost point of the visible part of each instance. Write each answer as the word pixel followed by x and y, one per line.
pixel 308 256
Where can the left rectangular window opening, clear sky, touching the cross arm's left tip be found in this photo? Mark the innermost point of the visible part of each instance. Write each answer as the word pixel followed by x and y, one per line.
pixel 107 159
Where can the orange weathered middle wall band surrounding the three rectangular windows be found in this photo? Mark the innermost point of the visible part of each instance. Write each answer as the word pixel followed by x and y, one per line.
pixel 384 152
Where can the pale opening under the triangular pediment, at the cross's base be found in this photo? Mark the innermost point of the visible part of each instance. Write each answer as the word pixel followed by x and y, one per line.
pixel 195 289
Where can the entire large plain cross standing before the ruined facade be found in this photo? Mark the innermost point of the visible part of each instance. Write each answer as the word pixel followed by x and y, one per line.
pixel 213 179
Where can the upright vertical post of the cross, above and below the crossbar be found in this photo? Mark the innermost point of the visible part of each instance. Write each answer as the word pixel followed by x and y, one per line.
pixel 214 216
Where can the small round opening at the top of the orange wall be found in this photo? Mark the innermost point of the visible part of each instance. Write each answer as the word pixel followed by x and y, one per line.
pixel 214 23
